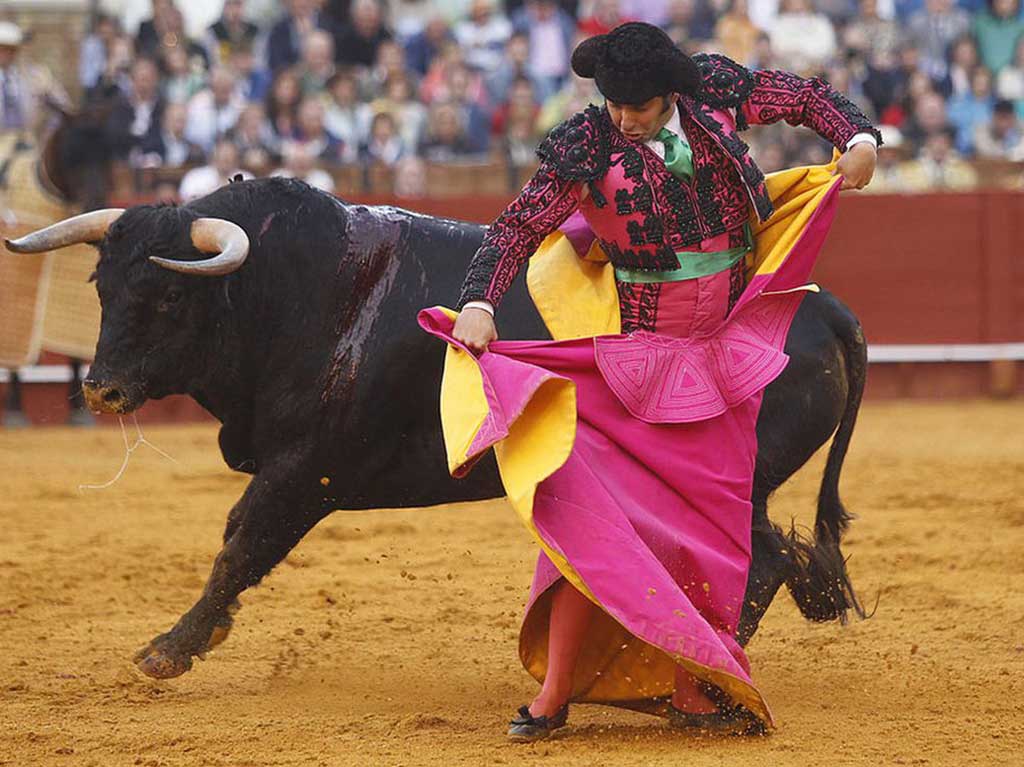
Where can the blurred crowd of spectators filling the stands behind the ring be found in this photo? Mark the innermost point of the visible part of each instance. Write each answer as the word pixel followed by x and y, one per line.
pixel 306 87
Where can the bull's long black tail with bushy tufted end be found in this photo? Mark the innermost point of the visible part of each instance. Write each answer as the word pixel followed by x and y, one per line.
pixel 819 581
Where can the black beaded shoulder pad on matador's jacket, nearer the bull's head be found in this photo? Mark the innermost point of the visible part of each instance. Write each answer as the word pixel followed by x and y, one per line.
pixel 579 148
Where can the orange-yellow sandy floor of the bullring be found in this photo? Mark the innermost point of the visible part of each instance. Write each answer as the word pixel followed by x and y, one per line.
pixel 390 637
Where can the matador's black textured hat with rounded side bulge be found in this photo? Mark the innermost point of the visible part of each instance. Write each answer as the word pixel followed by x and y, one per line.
pixel 634 63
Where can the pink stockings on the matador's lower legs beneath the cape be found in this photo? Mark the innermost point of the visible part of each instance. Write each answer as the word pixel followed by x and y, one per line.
pixel 571 616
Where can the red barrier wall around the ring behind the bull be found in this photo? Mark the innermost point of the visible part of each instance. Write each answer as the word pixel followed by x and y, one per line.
pixel 917 270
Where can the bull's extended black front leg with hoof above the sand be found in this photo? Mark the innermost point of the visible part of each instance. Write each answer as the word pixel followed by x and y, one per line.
pixel 267 523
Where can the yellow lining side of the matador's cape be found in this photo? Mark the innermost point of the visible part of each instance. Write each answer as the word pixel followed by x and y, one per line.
pixel 577 299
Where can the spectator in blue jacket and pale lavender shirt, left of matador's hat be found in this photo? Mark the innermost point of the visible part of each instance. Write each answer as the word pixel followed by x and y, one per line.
pixel 551 32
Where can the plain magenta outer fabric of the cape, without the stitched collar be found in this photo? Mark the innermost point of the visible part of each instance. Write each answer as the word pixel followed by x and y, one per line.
pixel 655 518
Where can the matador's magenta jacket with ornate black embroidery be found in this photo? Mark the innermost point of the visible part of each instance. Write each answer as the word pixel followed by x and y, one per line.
pixel 643 215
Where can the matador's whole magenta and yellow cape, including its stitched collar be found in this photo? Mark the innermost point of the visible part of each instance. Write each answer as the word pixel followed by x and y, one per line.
pixel 630 459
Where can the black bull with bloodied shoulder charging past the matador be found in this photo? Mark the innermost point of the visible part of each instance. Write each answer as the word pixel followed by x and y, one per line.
pixel 311 358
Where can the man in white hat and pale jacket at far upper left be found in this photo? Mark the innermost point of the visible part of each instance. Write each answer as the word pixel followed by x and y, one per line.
pixel 25 89
